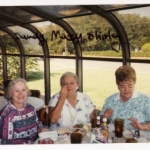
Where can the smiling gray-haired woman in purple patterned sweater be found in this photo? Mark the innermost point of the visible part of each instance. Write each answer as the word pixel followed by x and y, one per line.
pixel 19 123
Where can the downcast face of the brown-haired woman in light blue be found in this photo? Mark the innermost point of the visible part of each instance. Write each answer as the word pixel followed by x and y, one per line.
pixel 126 89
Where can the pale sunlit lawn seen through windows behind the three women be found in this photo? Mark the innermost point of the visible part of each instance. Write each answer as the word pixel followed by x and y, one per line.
pixel 98 84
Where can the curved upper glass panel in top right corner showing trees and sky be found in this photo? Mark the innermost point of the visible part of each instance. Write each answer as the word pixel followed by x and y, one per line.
pixel 137 26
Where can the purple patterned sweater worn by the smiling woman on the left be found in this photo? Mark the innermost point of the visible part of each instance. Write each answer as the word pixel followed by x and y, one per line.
pixel 19 126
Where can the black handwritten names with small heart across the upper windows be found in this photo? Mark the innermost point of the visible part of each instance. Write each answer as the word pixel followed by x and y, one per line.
pixel 78 38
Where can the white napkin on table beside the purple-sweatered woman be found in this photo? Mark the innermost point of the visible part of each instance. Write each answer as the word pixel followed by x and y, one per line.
pixel 49 134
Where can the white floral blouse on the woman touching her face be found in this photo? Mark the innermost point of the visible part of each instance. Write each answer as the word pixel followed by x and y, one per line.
pixel 71 116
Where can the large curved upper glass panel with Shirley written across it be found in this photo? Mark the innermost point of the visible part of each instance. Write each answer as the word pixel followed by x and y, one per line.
pixel 97 36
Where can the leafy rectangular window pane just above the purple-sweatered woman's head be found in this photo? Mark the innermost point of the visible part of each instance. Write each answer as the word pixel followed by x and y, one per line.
pixel 13 67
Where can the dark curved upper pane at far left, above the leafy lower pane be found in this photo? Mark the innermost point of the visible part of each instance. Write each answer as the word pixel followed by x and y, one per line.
pixel 10 44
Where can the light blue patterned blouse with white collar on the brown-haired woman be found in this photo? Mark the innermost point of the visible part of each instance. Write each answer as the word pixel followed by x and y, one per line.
pixel 138 106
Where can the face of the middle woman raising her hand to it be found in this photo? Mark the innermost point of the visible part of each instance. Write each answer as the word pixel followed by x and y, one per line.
pixel 70 83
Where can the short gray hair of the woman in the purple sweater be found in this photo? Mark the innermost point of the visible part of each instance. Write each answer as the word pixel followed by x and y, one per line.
pixel 8 92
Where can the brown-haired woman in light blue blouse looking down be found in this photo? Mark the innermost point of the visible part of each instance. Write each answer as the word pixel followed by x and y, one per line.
pixel 129 104
